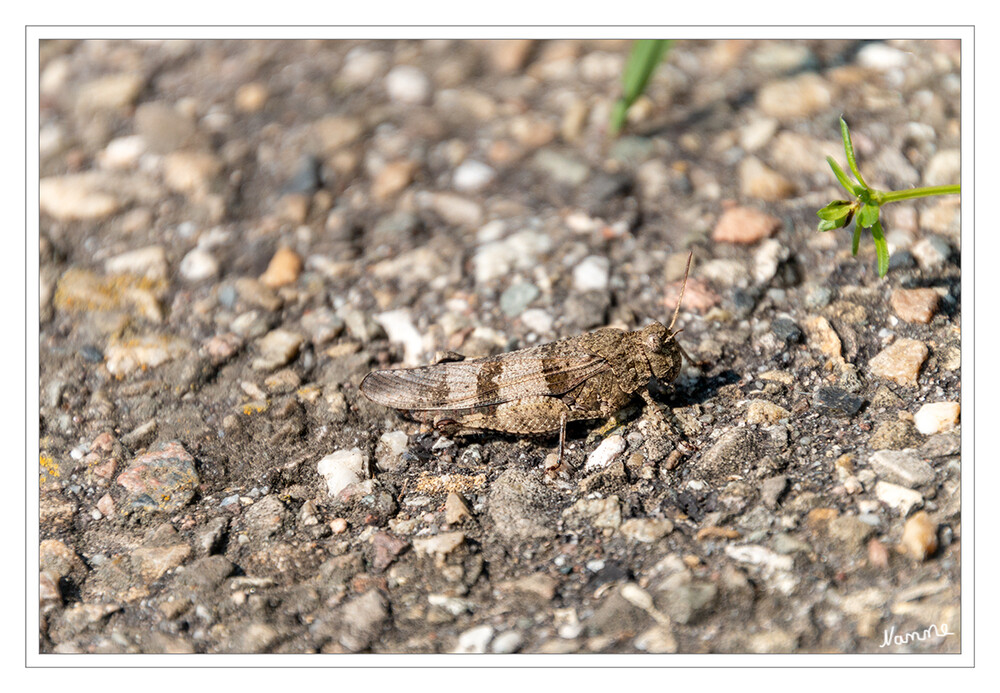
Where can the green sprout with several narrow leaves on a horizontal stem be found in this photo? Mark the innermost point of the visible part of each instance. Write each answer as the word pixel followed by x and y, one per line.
pixel 867 204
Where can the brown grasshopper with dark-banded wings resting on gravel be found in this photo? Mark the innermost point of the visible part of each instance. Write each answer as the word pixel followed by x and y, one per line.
pixel 538 389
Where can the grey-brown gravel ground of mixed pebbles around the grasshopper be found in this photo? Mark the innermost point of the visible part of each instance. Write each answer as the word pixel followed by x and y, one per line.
pixel 234 233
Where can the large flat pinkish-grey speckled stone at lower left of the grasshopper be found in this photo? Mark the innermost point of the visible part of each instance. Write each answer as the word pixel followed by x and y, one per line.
pixel 162 479
